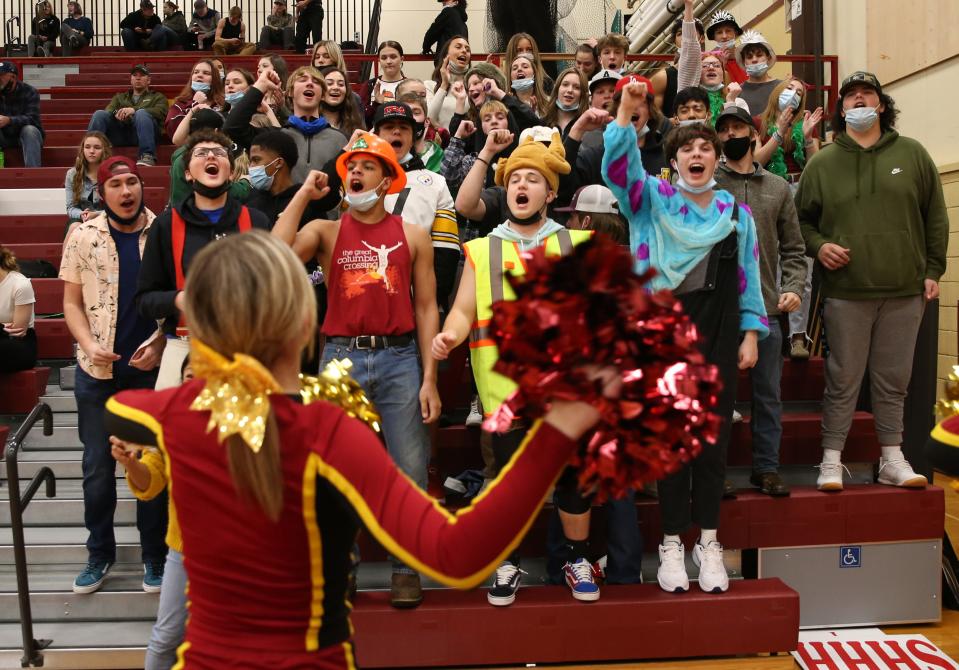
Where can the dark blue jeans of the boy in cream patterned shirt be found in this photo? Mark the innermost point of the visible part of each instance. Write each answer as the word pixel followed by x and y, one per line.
pixel 99 469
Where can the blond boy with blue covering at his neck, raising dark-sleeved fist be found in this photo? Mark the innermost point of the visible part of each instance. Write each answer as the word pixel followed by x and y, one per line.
pixel 316 140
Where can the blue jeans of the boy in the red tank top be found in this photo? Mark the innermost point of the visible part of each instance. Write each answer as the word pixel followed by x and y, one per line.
pixel 391 378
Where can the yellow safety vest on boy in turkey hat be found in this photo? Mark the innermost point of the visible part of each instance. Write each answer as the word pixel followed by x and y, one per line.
pixel 491 258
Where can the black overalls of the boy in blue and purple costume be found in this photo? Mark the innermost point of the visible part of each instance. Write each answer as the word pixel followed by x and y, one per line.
pixel 716 315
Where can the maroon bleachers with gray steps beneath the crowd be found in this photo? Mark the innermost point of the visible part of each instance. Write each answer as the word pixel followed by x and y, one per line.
pixel 762 612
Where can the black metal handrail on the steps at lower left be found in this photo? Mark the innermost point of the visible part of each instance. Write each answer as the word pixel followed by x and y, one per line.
pixel 18 503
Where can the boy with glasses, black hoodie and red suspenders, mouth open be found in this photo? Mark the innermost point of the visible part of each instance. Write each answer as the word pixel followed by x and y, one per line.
pixel 206 214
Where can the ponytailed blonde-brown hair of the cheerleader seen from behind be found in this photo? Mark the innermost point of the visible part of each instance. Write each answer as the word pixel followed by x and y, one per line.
pixel 269 305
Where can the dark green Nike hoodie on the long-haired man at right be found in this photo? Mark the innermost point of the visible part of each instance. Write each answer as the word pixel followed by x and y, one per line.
pixel 885 205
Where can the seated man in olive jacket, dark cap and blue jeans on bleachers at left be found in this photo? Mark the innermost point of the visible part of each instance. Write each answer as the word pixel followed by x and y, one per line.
pixel 133 117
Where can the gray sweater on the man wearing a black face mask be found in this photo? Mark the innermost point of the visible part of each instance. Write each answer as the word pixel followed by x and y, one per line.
pixel 777 227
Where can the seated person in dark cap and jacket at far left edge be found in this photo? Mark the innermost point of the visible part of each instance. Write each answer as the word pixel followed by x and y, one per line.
pixel 20 115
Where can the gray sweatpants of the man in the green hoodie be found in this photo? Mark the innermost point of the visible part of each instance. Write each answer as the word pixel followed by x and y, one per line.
pixel 878 333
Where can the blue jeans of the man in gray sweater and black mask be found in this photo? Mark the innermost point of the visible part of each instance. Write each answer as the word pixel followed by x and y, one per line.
pixel 767 407
